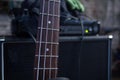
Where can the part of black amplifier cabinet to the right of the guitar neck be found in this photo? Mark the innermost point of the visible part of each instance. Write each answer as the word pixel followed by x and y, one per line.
pixel 87 58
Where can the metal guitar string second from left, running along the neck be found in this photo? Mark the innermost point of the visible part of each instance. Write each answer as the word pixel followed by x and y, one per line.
pixel 46 39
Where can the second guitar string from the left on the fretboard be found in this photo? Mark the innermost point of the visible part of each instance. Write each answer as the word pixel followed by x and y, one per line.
pixel 46 41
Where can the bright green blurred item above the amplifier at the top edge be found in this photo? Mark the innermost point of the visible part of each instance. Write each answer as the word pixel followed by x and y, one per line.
pixel 76 5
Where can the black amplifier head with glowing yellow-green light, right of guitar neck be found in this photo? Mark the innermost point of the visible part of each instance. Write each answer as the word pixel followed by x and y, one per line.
pixel 73 28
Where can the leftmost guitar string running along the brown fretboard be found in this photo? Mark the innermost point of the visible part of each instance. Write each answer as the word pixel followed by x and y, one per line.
pixel 40 37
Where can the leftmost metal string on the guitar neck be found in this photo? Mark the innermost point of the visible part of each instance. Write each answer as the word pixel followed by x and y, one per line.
pixel 40 39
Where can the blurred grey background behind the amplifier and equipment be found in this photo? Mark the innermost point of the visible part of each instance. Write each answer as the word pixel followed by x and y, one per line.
pixel 105 11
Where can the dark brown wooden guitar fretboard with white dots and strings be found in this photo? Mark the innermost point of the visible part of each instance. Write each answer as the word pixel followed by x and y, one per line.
pixel 45 66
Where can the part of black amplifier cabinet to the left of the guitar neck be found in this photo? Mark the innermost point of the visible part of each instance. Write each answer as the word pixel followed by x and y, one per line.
pixel 17 58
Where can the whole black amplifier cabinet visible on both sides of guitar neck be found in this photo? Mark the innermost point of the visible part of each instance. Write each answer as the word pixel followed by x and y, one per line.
pixel 86 58
